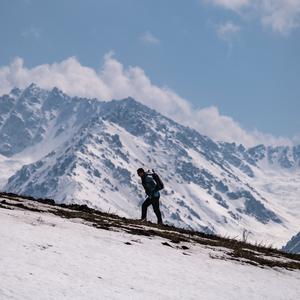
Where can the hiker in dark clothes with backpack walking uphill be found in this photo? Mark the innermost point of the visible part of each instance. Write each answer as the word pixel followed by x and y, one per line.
pixel 152 191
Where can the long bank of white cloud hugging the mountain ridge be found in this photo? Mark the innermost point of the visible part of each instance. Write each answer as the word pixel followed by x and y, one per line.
pixel 114 81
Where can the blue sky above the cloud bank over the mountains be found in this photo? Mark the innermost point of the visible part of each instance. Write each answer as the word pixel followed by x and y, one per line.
pixel 242 58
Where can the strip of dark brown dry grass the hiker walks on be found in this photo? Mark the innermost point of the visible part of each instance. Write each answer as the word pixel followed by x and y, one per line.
pixel 241 251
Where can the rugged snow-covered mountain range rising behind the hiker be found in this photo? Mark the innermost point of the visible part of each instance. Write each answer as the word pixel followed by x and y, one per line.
pixel 87 151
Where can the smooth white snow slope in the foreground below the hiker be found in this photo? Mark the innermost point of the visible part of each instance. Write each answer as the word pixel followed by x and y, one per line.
pixel 46 257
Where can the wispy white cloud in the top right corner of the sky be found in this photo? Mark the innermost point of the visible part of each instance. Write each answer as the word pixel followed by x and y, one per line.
pixel 280 15
